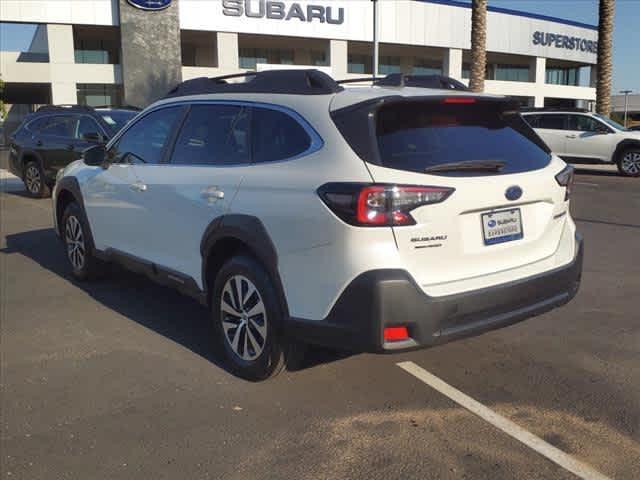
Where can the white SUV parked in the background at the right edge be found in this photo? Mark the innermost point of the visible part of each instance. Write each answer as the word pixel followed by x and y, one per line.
pixel 582 137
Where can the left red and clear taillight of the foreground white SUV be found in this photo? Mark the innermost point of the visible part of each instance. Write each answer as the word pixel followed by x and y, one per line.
pixel 379 204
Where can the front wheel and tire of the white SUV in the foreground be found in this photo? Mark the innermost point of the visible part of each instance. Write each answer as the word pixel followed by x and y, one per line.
pixel 78 245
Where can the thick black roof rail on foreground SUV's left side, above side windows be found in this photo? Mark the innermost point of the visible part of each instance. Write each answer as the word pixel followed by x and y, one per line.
pixel 295 82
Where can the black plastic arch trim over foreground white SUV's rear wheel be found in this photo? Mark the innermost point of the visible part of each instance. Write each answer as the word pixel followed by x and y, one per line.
pixel 250 231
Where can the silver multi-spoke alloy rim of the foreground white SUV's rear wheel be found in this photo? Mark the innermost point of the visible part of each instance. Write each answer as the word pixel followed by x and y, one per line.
pixel 244 317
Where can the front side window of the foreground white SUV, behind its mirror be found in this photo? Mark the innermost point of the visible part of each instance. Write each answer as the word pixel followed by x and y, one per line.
pixel 144 142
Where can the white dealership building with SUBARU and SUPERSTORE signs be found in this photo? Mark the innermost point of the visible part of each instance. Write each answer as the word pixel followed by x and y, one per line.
pixel 112 52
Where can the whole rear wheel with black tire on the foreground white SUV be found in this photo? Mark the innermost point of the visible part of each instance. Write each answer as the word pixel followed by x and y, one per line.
pixel 260 354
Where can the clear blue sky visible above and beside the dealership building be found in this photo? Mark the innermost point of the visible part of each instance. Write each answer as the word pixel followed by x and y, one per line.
pixel 626 41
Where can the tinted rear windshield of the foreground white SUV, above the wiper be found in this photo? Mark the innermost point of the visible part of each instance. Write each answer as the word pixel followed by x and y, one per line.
pixel 414 136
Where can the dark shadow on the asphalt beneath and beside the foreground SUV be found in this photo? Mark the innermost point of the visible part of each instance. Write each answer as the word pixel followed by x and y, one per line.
pixel 158 308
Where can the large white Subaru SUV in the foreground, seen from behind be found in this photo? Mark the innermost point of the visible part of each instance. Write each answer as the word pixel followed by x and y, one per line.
pixel 374 219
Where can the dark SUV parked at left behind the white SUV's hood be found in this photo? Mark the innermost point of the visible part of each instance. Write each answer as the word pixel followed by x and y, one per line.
pixel 56 135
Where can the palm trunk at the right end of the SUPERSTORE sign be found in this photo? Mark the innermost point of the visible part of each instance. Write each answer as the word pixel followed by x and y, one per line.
pixel 605 36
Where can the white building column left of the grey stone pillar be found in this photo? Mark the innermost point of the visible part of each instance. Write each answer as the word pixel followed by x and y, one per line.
pixel 61 59
